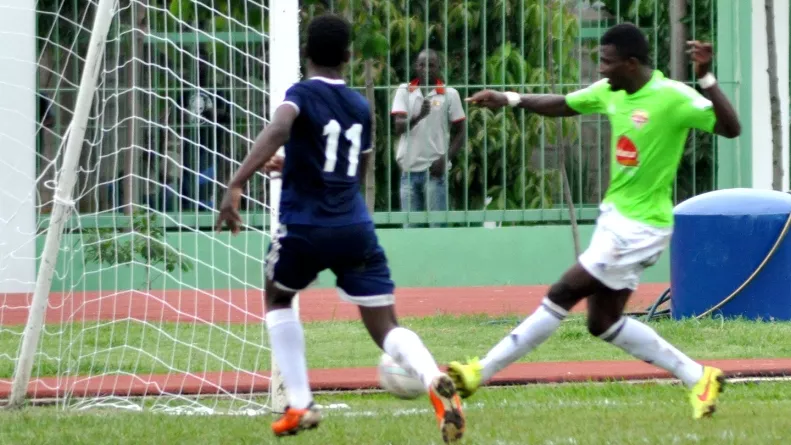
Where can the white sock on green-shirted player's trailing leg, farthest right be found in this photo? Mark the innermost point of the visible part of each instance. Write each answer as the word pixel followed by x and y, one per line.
pixel 644 343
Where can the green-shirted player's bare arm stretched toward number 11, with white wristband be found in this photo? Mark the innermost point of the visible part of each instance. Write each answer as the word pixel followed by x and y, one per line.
pixel 551 105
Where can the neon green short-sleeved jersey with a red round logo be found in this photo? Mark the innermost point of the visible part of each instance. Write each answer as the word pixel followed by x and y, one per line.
pixel 649 131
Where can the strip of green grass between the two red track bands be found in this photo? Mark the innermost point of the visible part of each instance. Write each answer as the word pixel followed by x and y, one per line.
pixel 135 347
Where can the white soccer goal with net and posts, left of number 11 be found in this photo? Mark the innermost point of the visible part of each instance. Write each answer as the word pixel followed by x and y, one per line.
pixel 121 122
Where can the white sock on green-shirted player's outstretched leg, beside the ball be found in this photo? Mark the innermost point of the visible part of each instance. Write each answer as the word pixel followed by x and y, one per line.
pixel 523 339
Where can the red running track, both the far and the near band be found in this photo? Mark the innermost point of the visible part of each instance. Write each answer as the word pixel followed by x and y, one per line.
pixel 315 305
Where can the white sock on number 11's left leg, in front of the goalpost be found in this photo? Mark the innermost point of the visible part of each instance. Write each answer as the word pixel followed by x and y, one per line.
pixel 288 345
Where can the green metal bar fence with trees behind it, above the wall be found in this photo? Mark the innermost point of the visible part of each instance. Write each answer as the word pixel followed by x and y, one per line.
pixel 510 168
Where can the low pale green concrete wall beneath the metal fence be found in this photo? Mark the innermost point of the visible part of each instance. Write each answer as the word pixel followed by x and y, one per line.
pixel 418 257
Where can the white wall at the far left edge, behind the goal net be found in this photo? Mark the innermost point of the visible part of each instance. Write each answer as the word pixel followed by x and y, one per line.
pixel 18 119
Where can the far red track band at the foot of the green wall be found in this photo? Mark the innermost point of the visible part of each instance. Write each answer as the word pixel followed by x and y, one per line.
pixel 247 306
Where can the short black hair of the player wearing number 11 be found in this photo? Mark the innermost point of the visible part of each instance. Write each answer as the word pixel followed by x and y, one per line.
pixel 328 40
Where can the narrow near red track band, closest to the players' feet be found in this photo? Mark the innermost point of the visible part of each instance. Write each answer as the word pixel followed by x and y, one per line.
pixel 365 378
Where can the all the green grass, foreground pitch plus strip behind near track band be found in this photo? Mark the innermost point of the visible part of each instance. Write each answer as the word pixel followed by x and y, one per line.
pixel 571 414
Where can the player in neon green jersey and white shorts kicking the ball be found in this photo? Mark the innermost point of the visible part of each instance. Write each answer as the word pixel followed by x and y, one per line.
pixel 650 117
